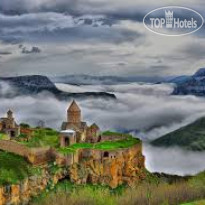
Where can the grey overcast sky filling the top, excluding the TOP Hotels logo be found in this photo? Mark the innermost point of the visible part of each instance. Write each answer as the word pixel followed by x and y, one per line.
pixel 98 37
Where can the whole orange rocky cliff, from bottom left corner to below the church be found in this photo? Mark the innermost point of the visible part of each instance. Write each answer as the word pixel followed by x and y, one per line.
pixel 112 168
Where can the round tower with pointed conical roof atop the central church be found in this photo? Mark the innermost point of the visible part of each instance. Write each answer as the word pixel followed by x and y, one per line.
pixel 74 113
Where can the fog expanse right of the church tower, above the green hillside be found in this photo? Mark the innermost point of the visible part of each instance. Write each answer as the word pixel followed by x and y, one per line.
pixel 145 109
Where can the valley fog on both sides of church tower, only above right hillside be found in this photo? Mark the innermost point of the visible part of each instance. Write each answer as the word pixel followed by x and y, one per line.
pixel 145 108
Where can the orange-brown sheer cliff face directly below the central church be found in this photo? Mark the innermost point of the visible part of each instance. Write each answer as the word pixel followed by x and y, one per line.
pixel 113 168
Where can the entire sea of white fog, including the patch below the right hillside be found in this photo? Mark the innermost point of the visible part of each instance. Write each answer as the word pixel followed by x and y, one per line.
pixel 148 111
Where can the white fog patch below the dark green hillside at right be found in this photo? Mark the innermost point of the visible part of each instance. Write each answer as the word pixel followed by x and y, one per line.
pixel 173 160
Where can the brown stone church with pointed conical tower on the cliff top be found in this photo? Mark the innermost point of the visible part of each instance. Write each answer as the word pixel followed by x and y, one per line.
pixel 77 128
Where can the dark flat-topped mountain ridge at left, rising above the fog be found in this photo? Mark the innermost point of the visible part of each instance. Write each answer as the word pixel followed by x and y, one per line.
pixel 35 84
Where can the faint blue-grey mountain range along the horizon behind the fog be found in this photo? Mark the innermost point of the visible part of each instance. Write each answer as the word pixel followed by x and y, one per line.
pixel 104 80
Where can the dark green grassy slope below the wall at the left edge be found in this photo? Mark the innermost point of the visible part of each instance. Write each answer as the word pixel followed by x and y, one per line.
pixel 13 168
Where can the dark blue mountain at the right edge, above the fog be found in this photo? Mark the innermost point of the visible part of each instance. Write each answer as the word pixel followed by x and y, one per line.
pixel 191 85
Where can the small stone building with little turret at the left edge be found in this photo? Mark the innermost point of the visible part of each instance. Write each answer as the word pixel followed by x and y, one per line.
pixel 9 126
